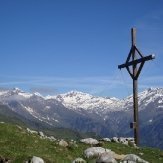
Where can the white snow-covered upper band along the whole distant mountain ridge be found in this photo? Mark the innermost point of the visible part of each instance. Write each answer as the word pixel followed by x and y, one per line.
pixel 76 100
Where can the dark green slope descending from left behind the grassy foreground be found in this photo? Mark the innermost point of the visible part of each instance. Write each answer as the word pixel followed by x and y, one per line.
pixel 10 117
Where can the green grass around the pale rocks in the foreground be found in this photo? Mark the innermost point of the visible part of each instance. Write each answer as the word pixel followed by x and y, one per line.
pixel 19 146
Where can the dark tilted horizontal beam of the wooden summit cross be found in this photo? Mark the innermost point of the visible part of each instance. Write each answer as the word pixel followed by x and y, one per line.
pixel 143 59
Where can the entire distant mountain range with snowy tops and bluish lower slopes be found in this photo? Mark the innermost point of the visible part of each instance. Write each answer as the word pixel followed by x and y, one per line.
pixel 82 112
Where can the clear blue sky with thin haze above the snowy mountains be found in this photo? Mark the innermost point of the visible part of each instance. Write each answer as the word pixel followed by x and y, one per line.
pixel 54 46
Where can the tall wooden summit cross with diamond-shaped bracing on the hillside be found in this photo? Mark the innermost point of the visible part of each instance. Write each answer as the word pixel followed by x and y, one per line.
pixel 134 65
